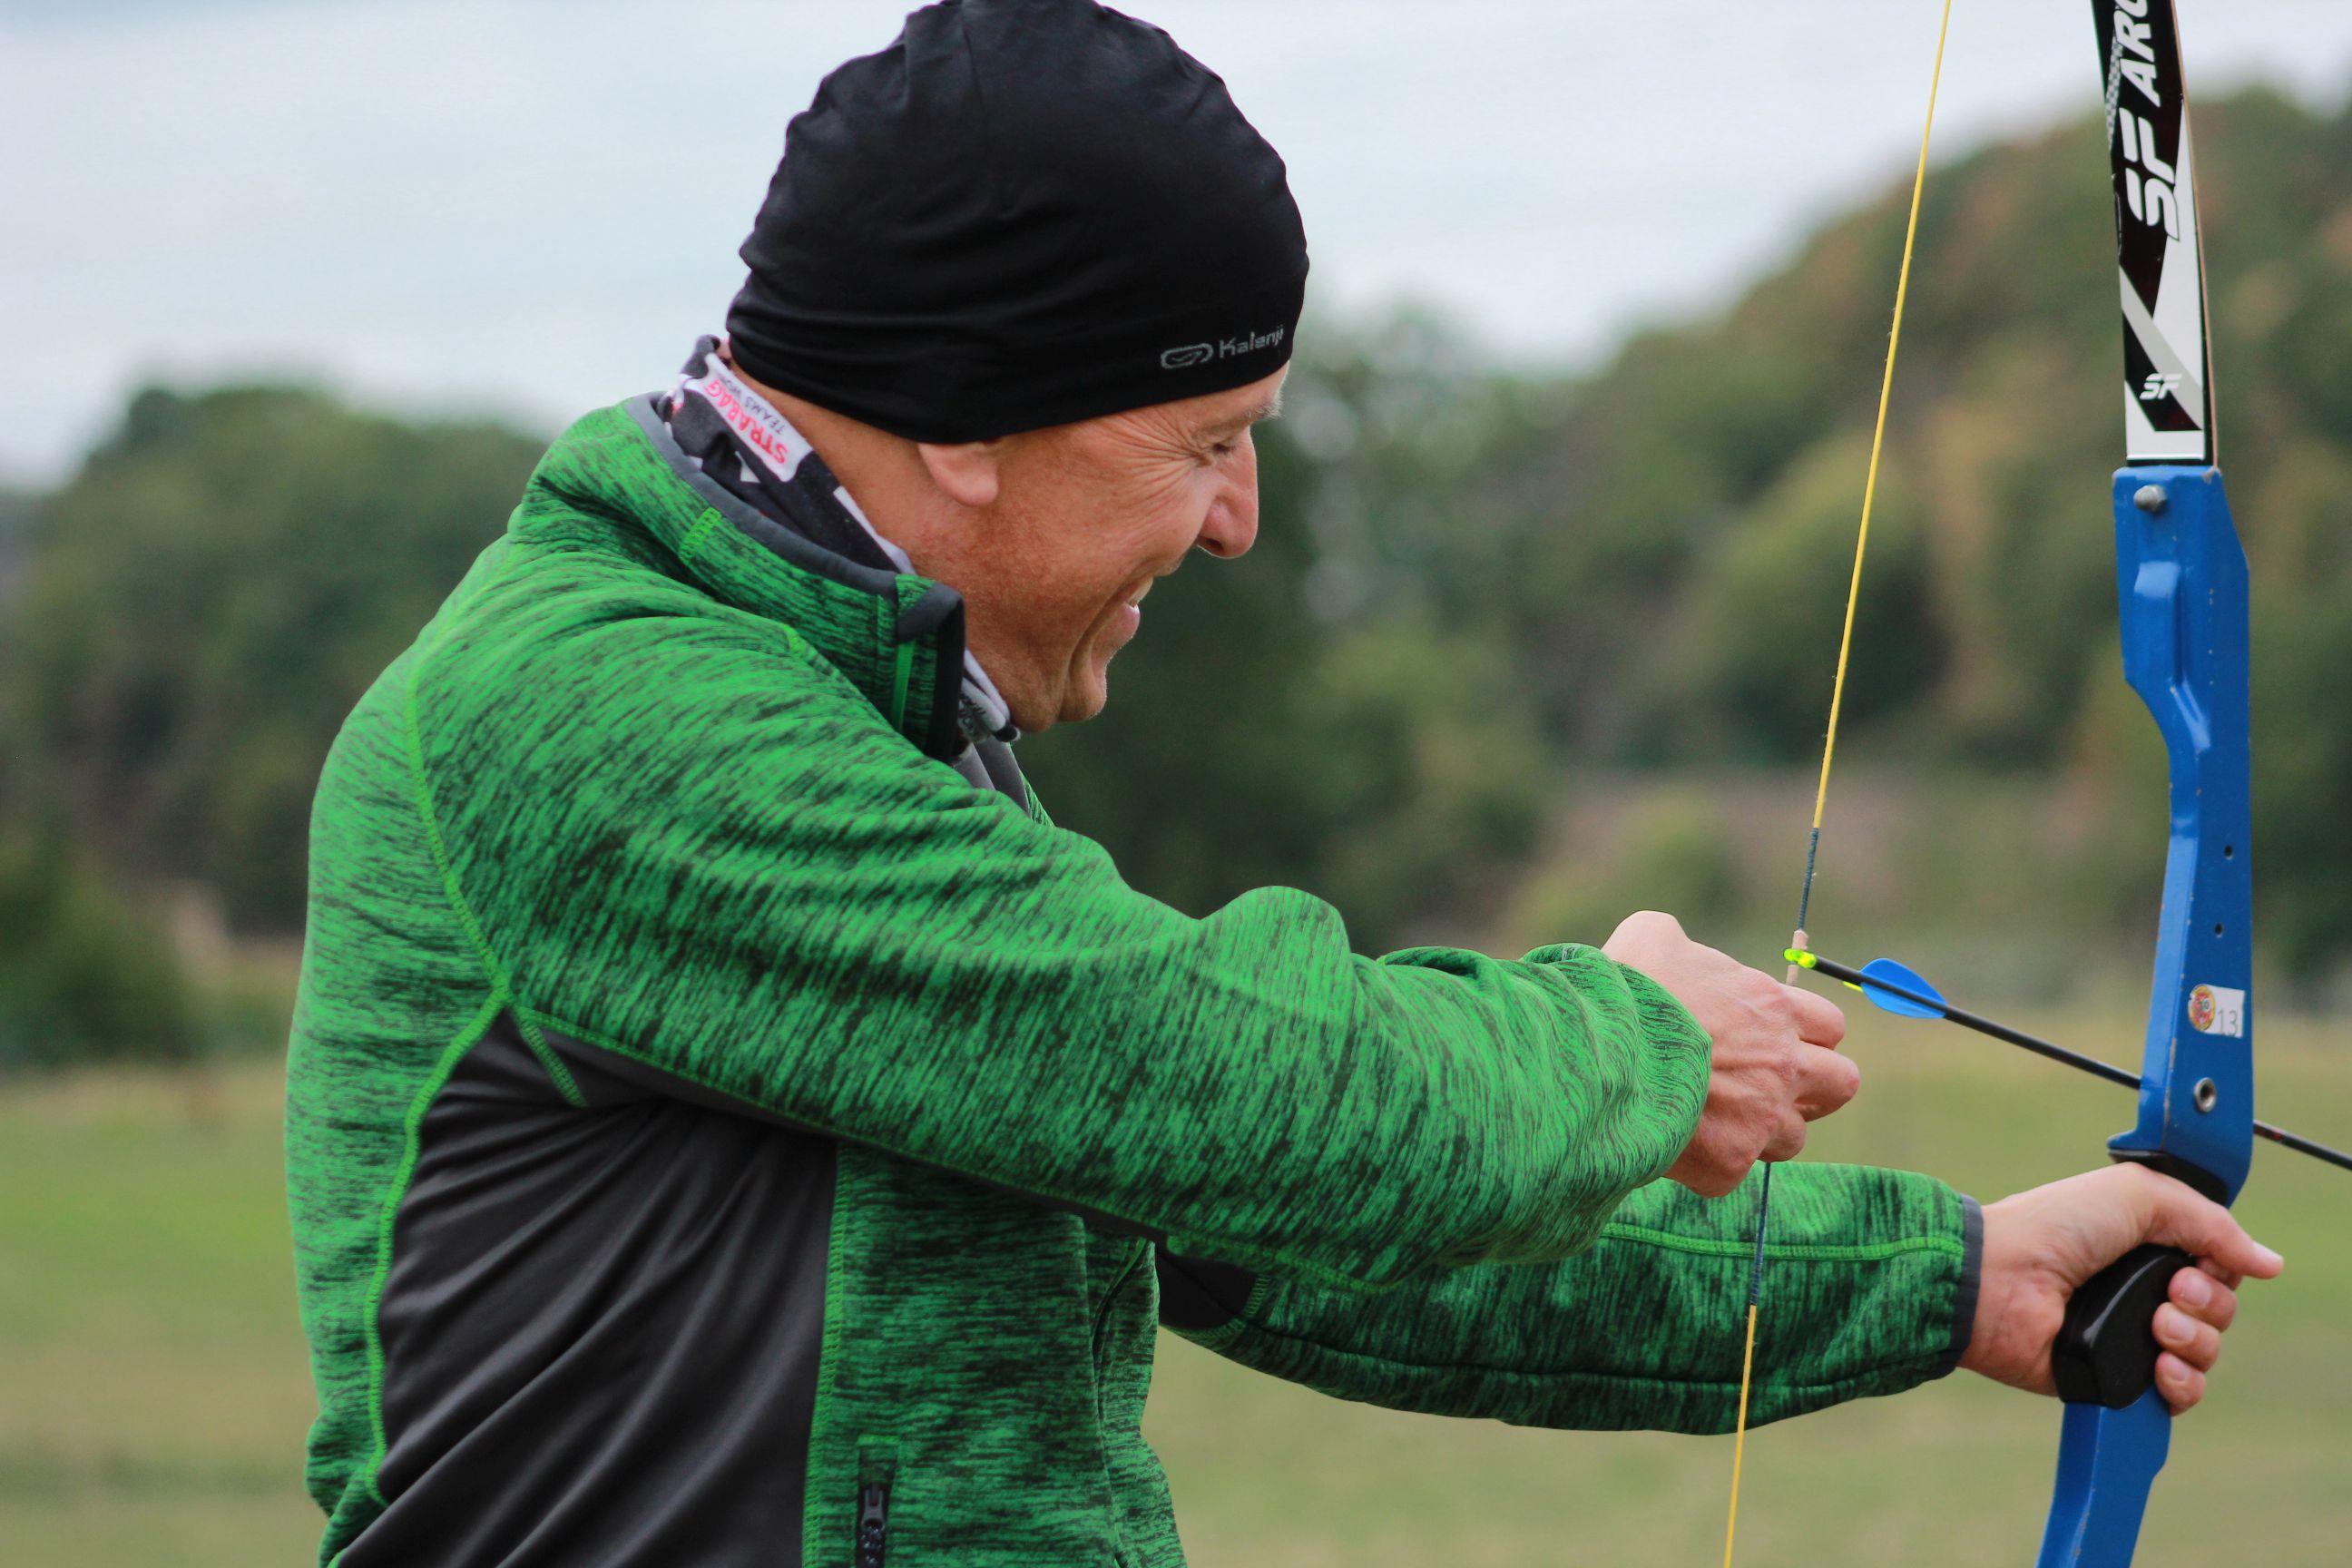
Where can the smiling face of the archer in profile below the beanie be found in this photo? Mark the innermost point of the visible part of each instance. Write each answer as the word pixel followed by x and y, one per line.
pixel 1085 521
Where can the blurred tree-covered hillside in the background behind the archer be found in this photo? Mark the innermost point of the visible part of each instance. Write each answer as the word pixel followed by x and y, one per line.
pixel 1514 657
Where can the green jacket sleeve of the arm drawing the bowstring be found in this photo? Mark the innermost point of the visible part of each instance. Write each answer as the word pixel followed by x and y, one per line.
pixel 711 857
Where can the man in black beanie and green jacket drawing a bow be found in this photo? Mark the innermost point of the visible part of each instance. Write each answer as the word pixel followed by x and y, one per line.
pixel 733 1125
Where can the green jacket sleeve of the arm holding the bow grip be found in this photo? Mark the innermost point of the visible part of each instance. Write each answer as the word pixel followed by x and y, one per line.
pixel 1869 1289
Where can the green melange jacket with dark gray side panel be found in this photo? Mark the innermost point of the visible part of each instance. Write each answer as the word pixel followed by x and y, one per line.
pixel 719 1132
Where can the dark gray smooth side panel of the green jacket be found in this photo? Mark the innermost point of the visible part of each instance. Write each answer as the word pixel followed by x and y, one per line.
pixel 601 1327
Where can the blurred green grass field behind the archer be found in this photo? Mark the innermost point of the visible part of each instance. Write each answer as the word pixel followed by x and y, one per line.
pixel 154 1388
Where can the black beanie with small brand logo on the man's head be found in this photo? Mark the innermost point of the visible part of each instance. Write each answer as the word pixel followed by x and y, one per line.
pixel 1024 213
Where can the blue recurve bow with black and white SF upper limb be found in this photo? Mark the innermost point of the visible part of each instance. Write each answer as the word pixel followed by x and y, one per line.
pixel 2181 579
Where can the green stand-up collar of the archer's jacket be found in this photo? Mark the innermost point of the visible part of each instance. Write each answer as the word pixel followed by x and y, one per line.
pixel 900 638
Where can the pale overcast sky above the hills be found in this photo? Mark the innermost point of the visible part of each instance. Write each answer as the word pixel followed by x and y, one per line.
pixel 533 206
